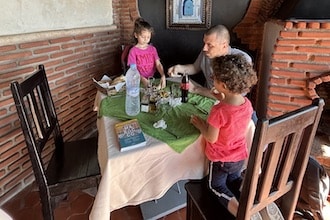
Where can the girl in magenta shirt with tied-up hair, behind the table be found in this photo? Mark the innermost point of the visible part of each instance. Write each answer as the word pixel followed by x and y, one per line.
pixel 144 55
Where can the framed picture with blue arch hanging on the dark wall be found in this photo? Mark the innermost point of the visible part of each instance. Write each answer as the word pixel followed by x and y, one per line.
pixel 188 14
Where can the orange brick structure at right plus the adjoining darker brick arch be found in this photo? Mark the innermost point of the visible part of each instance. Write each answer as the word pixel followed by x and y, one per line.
pixel 299 56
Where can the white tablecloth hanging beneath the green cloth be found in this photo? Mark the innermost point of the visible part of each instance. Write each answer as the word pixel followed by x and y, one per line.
pixel 140 175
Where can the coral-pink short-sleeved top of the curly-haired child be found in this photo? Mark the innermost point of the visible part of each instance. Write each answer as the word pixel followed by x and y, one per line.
pixel 232 121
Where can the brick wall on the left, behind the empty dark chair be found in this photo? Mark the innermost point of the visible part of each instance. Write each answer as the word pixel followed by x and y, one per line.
pixel 71 58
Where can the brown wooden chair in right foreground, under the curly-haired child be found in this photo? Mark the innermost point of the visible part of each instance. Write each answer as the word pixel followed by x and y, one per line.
pixel 272 175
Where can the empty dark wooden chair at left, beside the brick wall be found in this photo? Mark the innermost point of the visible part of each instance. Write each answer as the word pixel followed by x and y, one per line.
pixel 72 165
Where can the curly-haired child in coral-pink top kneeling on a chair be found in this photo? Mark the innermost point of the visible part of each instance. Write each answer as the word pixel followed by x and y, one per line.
pixel 224 130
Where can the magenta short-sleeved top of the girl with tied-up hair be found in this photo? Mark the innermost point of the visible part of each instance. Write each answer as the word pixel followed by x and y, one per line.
pixel 145 60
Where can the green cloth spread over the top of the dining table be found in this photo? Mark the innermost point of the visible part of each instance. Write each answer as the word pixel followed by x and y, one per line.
pixel 179 133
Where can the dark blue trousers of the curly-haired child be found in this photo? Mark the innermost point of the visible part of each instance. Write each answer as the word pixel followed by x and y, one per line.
pixel 225 180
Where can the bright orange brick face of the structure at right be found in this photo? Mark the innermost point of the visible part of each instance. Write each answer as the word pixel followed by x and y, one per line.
pixel 300 58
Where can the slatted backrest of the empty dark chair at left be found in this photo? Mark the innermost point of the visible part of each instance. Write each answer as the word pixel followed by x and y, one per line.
pixel 38 120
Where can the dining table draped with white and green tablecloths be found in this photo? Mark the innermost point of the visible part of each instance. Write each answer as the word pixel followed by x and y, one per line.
pixel 171 154
